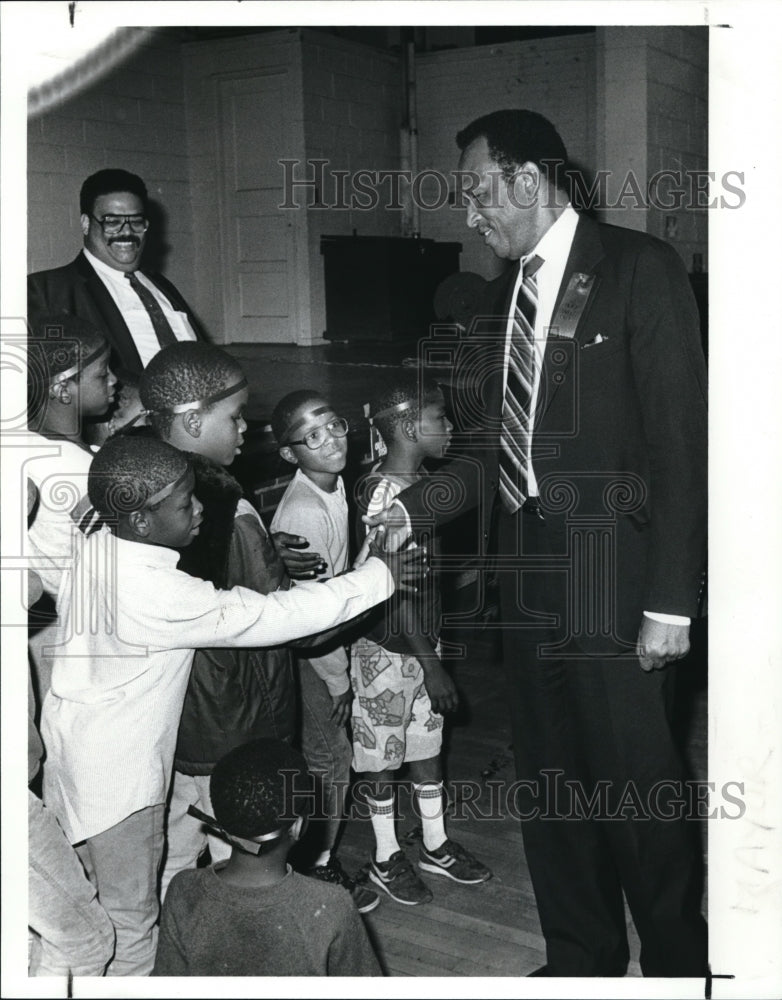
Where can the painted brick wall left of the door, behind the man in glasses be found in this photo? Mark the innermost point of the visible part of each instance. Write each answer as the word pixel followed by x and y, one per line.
pixel 132 118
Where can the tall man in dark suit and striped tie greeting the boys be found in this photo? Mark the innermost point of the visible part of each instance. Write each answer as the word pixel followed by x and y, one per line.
pixel 590 474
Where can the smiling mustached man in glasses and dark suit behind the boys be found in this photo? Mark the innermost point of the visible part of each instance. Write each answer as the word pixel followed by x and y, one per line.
pixel 137 312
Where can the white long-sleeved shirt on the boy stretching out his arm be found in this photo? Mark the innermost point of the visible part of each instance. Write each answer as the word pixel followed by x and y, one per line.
pixel 130 625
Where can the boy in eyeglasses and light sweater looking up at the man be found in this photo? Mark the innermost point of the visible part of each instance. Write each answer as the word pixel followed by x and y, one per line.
pixel 312 437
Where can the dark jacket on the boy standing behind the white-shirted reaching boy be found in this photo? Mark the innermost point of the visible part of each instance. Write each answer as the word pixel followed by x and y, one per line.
pixel 234 695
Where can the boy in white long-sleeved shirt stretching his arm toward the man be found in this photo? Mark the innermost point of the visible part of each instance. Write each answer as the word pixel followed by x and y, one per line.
pixel 131 622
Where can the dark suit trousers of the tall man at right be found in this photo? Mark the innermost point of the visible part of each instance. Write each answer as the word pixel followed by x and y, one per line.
pixel 606 726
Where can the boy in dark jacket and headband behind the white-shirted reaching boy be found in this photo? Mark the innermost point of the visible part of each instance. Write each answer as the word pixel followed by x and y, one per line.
pixel 195 395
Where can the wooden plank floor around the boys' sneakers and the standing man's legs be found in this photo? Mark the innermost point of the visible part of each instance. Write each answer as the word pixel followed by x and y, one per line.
pixel 490 929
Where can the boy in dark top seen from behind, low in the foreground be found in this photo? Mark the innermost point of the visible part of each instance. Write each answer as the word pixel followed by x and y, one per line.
pixel 253 915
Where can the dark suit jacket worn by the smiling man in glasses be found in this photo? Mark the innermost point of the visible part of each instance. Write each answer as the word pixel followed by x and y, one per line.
pixel 76 288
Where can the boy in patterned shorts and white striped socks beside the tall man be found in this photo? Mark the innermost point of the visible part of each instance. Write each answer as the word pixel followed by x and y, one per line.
pixel 400 686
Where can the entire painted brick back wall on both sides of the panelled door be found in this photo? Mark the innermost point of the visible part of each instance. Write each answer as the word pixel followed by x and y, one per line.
pixel 620 97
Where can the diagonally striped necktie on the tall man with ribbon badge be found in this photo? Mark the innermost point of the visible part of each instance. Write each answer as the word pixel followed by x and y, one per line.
pixel 516 407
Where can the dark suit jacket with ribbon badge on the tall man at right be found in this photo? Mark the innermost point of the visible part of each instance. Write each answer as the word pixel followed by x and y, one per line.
pixel 620 431
